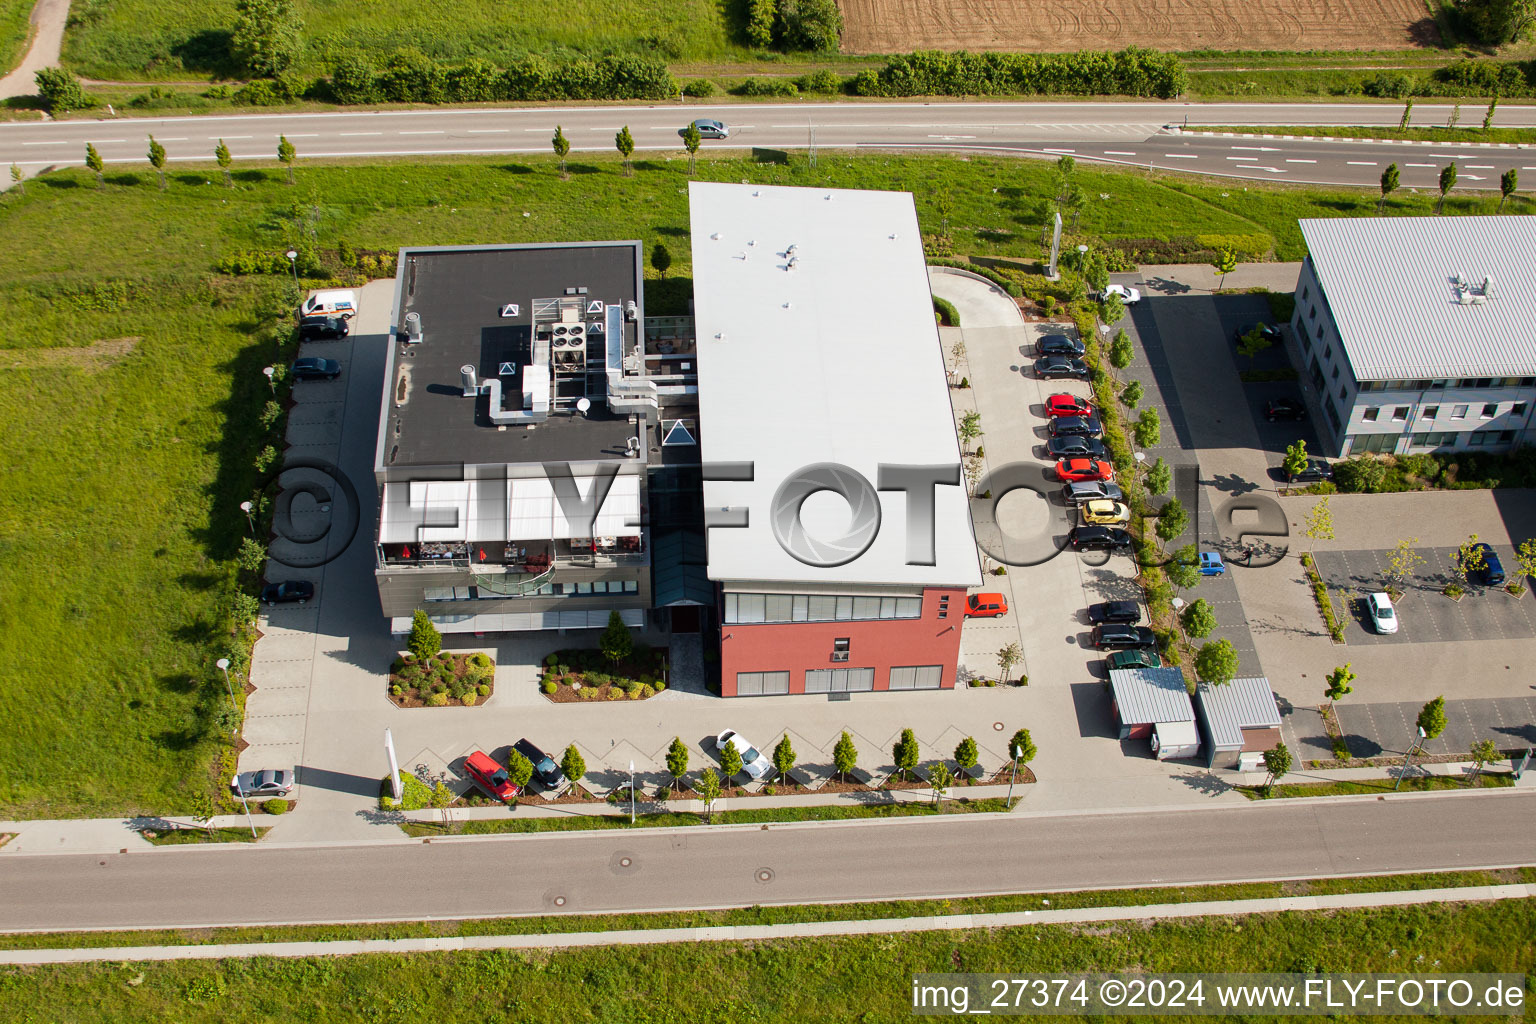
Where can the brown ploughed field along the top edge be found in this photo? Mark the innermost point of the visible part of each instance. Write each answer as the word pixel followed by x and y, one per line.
pixel 886 27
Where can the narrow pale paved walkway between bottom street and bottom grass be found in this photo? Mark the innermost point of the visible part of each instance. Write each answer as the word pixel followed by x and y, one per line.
pixel 764 933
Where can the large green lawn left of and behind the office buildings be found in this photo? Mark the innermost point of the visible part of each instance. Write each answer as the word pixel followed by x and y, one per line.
pixel 134 382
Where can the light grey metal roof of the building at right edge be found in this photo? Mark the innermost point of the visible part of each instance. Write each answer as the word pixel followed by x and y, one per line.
pixel 1392 286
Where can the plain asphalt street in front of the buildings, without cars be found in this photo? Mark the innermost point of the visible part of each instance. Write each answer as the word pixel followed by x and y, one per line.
pixel 655 870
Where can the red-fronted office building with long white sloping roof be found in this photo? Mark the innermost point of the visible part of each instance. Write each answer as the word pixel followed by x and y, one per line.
pixel 839 532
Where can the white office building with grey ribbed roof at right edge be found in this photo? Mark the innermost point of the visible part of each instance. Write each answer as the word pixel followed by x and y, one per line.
pixel 1418 334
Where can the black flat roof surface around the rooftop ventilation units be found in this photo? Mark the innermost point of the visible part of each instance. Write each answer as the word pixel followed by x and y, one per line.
pixel 460 294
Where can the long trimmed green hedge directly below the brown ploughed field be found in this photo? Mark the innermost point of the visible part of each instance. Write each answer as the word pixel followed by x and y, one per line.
pixel 1133 71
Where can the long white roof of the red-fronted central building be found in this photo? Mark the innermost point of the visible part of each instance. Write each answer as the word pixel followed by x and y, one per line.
pixel 833 362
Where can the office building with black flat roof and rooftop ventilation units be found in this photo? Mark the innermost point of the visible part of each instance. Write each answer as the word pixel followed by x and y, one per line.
pixel 520 432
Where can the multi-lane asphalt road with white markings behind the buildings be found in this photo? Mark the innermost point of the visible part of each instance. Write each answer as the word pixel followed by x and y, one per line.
pixel 1113 133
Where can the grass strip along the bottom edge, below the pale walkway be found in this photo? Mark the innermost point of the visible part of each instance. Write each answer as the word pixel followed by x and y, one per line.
pixel 850 979
